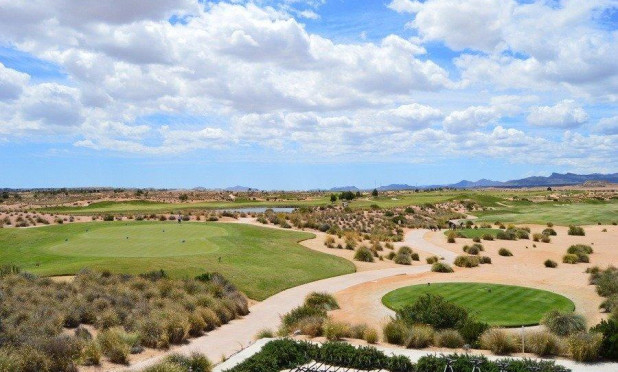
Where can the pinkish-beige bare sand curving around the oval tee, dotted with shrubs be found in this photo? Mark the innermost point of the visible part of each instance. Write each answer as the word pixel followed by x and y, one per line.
pixel 362 303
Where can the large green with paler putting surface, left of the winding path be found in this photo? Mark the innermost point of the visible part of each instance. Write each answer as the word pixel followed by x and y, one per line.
pixel 260 261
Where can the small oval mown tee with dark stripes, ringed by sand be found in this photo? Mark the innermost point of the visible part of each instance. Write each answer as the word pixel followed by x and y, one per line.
pixel 496 304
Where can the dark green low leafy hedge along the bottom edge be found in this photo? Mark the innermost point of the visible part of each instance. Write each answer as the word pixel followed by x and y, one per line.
pixel 286 354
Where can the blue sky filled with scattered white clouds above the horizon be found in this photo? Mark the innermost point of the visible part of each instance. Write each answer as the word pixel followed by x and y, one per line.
pixel 303 94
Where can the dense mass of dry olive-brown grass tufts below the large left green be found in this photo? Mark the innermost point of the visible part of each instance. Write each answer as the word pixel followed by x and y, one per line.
pixel 56 326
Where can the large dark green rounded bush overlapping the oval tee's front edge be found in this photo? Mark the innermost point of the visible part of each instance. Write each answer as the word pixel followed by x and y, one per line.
pixel 434 311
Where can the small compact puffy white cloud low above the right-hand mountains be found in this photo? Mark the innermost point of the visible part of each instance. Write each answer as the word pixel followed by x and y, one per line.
pixel 565 114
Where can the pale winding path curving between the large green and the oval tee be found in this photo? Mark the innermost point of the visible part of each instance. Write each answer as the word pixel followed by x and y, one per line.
pixel 239 334
